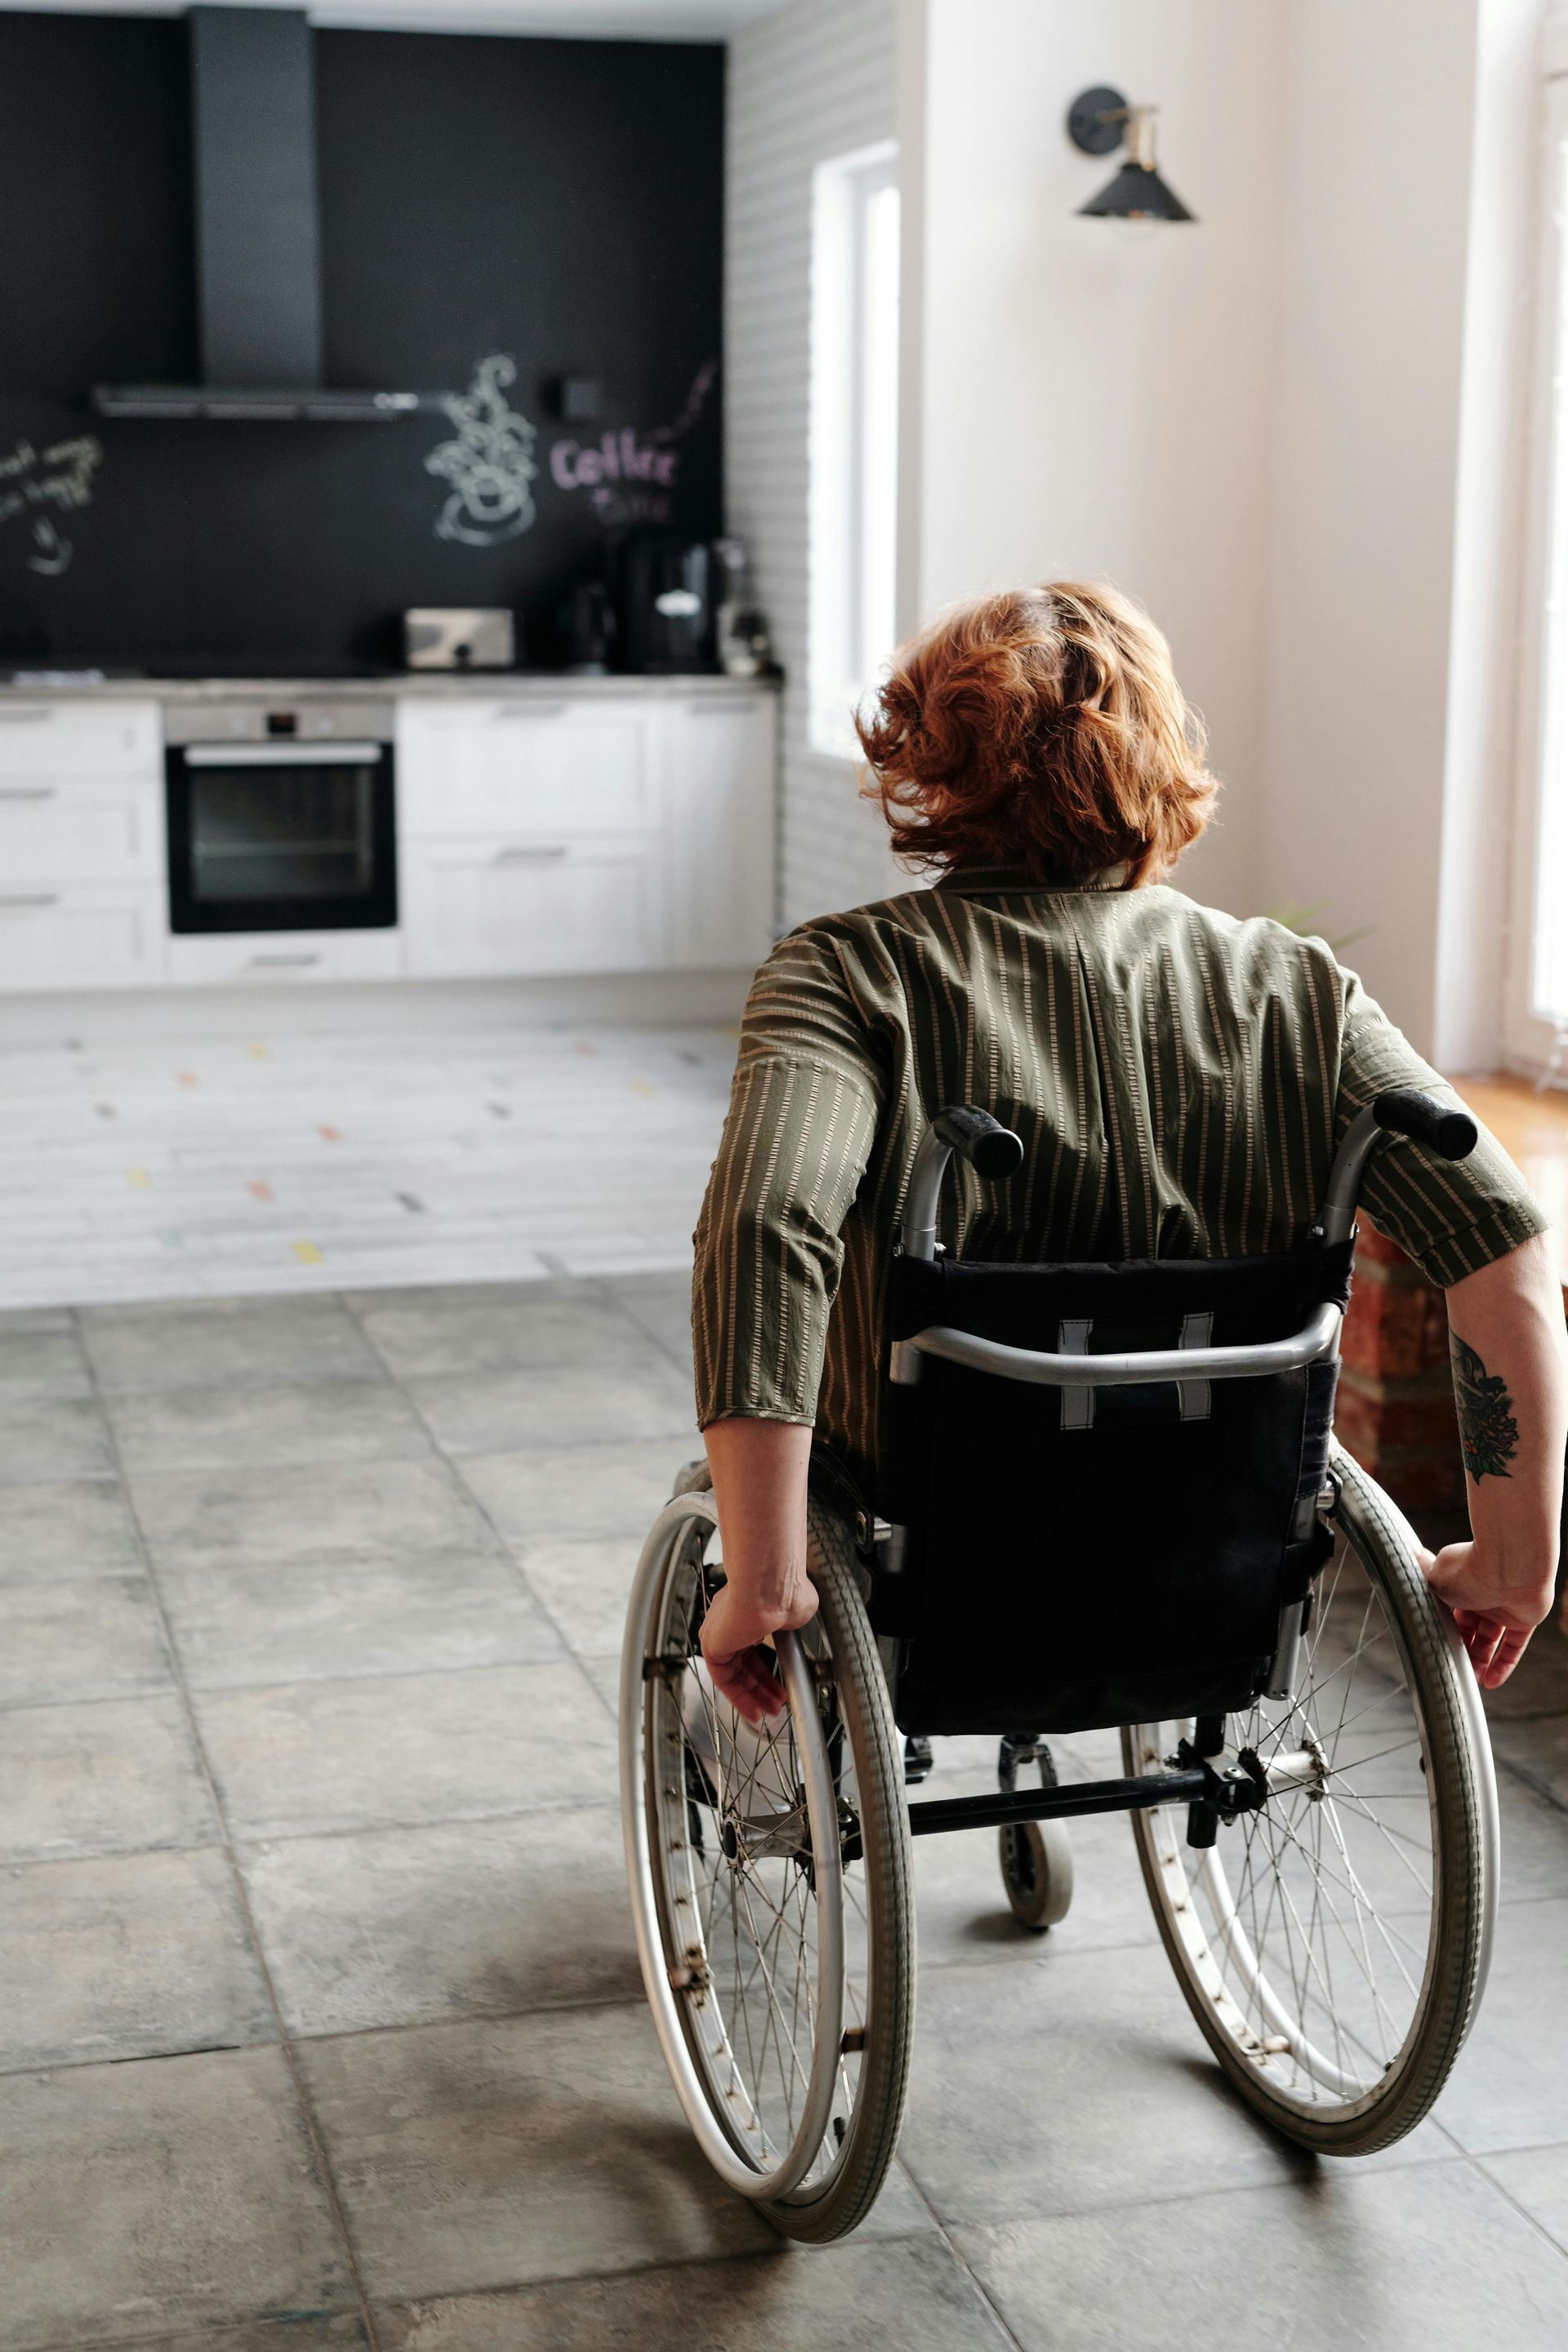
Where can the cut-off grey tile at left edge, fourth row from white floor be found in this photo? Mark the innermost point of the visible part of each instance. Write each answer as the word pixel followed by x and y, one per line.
pixel 86 1641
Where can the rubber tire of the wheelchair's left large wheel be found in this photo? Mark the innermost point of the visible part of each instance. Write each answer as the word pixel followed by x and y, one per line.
pixel 847 1643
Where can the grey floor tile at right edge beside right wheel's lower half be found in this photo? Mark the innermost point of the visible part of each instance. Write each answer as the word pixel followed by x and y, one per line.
pixel 1510 2085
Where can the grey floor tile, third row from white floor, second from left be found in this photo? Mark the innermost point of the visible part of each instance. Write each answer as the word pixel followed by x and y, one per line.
pixel 253 1516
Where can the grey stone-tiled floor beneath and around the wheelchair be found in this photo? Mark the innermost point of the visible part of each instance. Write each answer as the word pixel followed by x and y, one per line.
pixel 321 2010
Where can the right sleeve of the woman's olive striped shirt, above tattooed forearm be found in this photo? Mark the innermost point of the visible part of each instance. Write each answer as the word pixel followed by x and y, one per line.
pixel 1454 1217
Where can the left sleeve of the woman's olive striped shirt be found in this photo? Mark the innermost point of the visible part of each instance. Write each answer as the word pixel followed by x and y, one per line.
pixel 798 1137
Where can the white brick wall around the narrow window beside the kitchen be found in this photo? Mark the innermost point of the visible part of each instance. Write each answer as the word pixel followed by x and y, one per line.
pixel 805 83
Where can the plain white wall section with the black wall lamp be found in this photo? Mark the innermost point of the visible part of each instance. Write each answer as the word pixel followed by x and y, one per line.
pixel 1097 399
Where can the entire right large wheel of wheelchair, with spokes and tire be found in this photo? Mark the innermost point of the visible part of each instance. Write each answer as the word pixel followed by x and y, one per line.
pixel 1334 1944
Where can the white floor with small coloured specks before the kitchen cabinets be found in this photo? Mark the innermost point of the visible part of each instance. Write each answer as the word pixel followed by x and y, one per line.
pixel 274 1156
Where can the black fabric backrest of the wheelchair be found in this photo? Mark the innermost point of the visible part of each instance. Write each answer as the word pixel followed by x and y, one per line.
pixel 1068 1577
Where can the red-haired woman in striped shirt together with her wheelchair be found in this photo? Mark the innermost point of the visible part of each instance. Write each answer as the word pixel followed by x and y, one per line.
pixel 1050 1448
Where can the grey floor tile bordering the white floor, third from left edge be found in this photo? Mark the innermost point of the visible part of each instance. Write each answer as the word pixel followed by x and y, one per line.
pixel 422 1339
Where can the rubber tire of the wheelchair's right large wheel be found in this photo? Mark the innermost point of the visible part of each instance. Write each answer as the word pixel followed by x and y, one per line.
pixel 1466 1878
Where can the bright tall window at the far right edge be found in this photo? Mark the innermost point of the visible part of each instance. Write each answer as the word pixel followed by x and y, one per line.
pixel 1539 984
